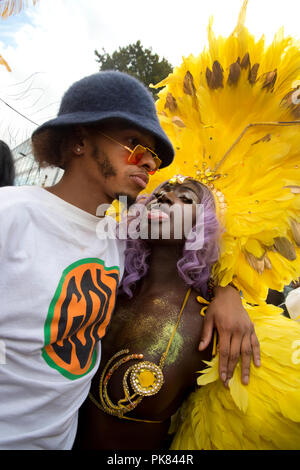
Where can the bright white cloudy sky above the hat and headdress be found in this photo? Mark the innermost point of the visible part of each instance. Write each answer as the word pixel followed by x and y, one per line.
pixel 51 45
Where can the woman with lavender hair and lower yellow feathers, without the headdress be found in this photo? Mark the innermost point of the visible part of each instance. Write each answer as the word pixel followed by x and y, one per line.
pixel 130 409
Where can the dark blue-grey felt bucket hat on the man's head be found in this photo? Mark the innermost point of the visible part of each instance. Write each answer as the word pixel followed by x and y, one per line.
pixel 110 95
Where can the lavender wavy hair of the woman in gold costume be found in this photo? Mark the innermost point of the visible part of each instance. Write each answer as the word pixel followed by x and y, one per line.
pixel 194 267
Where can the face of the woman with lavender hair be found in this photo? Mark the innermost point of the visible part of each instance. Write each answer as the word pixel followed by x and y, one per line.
pixel 172 212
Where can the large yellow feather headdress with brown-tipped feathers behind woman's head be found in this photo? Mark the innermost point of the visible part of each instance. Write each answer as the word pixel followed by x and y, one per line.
pixel 233 116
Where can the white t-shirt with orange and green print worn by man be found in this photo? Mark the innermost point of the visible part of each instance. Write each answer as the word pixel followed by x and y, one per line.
pixel 58 286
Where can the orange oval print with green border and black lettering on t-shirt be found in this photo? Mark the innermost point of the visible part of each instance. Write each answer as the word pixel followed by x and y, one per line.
pixel 78 316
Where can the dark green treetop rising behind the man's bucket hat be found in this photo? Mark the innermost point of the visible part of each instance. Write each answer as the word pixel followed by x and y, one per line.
pixel 138 61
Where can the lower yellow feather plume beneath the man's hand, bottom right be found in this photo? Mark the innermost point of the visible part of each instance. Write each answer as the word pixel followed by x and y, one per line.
pixel 265 414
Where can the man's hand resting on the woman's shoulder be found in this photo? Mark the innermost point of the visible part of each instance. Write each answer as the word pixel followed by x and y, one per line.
pixel 236 333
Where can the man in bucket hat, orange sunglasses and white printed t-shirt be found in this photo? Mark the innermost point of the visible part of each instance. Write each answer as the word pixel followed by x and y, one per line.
pixel 58 279
